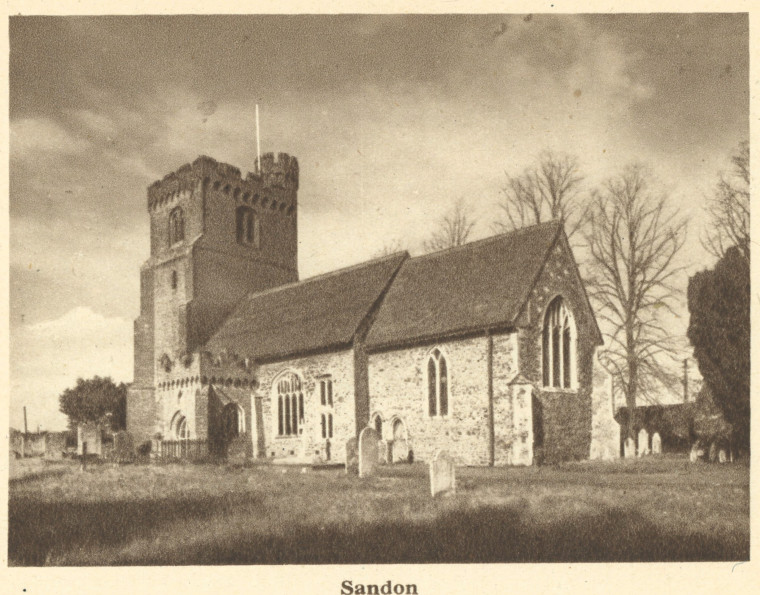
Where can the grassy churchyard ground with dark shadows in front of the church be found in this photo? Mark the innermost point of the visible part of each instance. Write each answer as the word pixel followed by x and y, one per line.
pixel 643 510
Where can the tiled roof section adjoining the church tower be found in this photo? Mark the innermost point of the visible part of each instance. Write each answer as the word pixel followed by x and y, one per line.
pixel 310 315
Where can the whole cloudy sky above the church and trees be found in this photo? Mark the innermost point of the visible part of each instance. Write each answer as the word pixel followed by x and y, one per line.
pixel 393 119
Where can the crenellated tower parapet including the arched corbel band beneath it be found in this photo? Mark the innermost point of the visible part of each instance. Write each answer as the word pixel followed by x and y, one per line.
pixel 273 187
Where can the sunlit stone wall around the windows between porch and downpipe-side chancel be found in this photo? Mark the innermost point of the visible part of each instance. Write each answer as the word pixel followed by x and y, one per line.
pixel 338 366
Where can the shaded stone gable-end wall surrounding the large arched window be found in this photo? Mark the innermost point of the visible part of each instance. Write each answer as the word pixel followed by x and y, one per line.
pixel 565 413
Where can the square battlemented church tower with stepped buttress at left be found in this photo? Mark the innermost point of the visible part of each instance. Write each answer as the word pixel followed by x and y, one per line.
pixel 215 236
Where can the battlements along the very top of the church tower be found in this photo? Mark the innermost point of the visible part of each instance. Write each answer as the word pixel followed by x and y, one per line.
pixel 278 174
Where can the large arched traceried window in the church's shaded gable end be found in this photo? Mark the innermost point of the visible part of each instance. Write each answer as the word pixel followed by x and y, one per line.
pixel 558 346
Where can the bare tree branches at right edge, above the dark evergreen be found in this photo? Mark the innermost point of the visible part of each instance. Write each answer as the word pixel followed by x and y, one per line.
pixel 728 210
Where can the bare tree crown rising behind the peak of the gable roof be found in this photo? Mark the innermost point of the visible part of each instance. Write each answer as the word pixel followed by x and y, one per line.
pixel 549 190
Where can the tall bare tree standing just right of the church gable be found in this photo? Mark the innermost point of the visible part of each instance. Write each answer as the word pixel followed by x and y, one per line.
pixel 633 243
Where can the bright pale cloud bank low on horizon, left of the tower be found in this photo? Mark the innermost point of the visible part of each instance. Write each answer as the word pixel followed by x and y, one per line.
pixel 48 357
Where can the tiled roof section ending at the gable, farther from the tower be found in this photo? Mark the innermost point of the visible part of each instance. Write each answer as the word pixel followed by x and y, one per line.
pixel 475 286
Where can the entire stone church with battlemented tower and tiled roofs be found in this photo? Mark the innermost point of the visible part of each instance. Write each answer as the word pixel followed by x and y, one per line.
pixel 487 349
